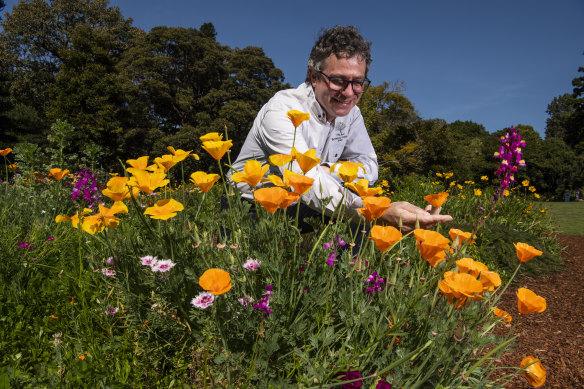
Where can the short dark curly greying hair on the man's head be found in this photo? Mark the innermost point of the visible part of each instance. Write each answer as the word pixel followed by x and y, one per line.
pixel 342 41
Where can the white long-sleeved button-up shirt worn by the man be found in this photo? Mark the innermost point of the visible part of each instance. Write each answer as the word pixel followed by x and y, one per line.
pixel 343 139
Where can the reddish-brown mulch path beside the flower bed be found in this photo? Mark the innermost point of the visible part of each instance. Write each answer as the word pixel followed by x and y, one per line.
pixel 556 336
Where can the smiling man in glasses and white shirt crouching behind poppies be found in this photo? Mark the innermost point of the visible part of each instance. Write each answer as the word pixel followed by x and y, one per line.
pixel 335 81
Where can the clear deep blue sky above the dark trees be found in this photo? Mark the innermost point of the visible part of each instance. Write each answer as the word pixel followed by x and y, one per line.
pixel 497 63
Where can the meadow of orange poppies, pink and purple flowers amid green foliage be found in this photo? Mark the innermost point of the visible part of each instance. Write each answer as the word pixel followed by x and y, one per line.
pixel 132 280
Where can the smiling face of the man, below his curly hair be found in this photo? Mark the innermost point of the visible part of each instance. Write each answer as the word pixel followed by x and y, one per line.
pixel 338 103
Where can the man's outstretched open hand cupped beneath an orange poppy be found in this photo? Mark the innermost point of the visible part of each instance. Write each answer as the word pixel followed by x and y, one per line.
pixel 410 213
